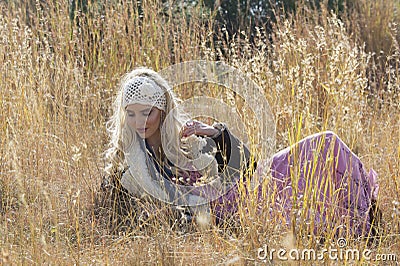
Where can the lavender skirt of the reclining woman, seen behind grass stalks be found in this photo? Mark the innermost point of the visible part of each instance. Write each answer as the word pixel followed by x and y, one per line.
pixel 322 169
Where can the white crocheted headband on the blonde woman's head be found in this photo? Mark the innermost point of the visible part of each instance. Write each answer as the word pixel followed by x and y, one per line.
pixel 145 91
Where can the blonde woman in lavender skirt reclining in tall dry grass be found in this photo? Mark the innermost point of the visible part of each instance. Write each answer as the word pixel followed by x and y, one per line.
pixel 157 154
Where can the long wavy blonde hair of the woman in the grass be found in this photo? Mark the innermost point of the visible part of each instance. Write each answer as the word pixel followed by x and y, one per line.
pixel 122 136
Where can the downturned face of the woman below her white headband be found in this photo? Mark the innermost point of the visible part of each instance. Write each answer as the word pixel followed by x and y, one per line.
pixel 144 119
